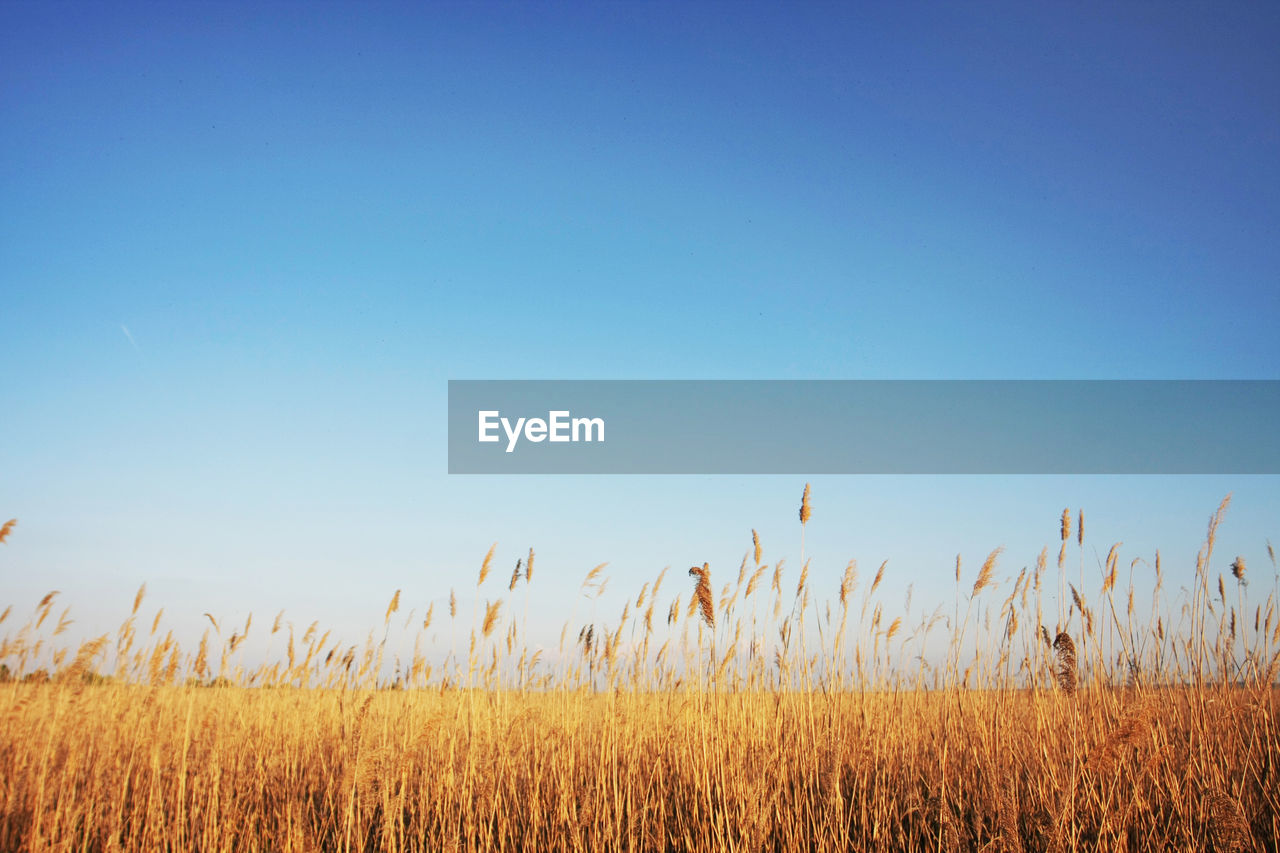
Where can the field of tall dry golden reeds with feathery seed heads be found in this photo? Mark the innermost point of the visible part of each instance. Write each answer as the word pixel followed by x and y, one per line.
pixel 756 717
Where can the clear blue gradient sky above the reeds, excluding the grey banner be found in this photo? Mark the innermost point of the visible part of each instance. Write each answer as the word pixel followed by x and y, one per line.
pixel 244 247
